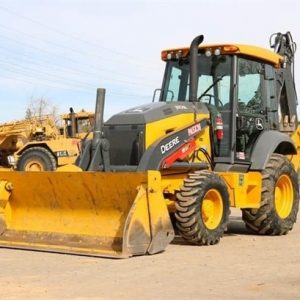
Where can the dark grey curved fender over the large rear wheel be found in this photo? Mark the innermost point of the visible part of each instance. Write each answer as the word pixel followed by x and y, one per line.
pixel 270 142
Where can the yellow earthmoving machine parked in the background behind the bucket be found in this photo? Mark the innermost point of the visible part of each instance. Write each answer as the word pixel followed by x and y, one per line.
pixel 38 144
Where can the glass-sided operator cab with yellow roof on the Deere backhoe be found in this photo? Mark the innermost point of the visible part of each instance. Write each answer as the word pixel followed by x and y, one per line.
pixel 237 86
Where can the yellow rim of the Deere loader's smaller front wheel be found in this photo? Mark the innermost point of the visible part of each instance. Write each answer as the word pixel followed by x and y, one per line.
pixel 212 209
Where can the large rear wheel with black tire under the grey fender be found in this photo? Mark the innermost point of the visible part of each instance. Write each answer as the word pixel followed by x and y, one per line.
pixel 279 199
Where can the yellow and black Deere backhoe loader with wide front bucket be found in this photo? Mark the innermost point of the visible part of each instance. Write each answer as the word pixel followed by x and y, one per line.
pixel 223 134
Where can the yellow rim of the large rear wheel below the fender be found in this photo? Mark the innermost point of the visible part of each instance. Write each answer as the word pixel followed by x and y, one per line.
pixel 284 196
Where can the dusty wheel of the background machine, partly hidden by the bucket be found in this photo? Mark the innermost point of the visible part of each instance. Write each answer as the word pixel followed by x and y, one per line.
pixel 36 159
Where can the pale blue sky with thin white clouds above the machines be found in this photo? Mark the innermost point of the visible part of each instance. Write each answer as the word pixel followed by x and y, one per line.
pixel 63 50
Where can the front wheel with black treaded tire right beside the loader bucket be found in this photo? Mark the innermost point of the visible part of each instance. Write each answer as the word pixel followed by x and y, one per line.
pixel 202 208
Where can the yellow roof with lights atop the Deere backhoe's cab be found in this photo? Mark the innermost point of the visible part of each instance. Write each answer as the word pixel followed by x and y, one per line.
pixel 254 52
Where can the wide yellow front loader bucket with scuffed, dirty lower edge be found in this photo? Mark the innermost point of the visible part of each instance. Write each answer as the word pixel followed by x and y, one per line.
pixel 93 213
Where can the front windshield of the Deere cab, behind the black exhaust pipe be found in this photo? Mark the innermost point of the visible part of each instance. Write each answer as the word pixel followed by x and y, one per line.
pixel 213 81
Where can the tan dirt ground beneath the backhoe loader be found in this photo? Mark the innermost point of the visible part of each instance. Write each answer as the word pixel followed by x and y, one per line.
pixel 241 266
